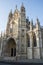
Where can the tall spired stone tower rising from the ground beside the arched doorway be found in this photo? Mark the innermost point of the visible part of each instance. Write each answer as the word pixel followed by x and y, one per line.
pixel 22 32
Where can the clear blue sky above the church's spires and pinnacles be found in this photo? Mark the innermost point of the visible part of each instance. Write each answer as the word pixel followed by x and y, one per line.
pixel 34 9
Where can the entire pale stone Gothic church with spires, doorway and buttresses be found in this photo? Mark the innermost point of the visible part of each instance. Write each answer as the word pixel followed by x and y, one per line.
pixel 22 40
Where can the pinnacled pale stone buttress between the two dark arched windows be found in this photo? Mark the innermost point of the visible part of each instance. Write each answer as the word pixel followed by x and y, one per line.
pixel 30 49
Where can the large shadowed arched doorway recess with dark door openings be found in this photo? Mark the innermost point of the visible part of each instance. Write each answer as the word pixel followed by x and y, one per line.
pixel 10 49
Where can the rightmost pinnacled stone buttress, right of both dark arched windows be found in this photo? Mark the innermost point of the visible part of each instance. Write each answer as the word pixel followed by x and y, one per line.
pixel 38 39
